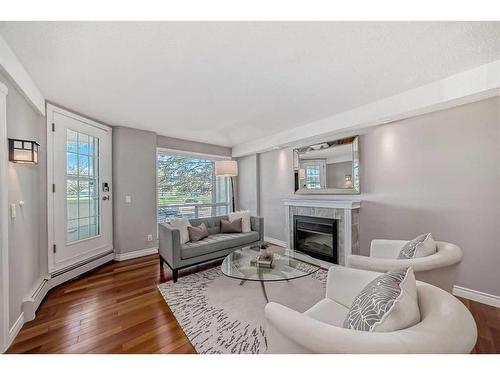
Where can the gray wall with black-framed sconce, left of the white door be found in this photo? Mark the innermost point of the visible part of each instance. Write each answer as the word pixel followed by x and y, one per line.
pixel 28 231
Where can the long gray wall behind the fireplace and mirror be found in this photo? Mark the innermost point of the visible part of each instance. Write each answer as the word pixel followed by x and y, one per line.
pixel 438 172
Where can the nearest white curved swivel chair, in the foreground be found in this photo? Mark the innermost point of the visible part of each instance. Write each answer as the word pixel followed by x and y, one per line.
pixel 446 325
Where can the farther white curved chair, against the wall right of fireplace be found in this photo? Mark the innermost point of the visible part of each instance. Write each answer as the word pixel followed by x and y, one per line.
pixel 439 269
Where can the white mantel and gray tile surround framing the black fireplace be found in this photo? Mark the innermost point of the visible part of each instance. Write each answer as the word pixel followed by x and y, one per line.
pixel 346 212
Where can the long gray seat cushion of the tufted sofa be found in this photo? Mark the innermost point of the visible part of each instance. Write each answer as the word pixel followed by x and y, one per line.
pixel 216 242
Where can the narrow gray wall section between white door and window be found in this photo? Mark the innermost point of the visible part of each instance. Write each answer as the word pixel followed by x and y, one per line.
pixel 134 175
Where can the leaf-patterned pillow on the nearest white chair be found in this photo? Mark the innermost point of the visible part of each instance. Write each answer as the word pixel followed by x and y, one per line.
pixel 388 303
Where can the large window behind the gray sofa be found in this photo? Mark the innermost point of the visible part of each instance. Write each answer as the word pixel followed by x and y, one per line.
pixel 188 188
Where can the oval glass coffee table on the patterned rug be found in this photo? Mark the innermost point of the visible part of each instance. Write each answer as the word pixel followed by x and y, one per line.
pixel 287 265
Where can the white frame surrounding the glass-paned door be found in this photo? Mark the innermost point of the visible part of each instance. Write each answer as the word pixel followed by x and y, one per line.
pixel 51 109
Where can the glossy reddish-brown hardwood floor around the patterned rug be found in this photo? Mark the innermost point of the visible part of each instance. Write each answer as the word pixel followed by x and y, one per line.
pixel 118 309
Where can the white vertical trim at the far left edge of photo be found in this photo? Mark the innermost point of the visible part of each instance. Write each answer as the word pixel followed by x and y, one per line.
pixel 4 225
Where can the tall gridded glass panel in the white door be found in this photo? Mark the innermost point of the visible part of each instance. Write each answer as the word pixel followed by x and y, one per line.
pixel 82 182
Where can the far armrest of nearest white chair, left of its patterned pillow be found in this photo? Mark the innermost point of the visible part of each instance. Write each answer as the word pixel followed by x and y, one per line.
pixel 344 284
